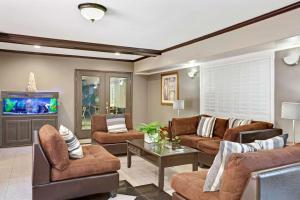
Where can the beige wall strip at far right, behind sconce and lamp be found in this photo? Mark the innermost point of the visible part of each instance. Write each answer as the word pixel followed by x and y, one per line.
pixel 287 88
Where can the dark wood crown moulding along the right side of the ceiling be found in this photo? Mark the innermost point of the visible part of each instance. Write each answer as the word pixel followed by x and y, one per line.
pixel 233 27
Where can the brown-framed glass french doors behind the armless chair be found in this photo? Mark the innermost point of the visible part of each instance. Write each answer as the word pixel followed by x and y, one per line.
pixel 99 92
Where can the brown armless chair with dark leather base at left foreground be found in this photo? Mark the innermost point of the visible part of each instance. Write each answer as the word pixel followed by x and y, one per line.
pixel 55 176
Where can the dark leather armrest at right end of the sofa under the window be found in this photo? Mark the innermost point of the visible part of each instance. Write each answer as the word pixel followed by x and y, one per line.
pixel 250 136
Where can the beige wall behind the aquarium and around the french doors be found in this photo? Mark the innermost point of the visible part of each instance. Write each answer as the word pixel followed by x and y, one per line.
pixel 57 74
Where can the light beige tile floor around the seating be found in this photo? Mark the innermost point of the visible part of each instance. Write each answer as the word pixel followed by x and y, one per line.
pixel 16 166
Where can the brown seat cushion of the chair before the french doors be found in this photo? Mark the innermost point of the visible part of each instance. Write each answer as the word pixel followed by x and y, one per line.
pixel 112 138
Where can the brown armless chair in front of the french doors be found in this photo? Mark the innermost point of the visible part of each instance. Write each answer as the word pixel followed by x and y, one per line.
pixel 115 143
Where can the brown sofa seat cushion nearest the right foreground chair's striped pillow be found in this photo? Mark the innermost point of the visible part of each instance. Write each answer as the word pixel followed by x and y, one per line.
pixel 210 147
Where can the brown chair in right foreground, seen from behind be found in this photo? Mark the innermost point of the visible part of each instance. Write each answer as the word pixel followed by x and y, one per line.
pixel 265 175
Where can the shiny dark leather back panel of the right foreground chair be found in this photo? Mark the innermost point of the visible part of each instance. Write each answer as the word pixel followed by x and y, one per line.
pixel 274 183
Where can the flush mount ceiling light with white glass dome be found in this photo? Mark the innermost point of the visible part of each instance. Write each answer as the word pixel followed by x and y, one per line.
pixel 92 11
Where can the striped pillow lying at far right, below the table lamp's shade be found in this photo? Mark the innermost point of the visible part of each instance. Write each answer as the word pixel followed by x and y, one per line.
pixel 277 142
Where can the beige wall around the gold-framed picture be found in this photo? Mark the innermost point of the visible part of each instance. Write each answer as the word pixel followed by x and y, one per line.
pixel 188 91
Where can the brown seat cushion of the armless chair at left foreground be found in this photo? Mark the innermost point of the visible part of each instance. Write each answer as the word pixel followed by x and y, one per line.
pixel 96 161
